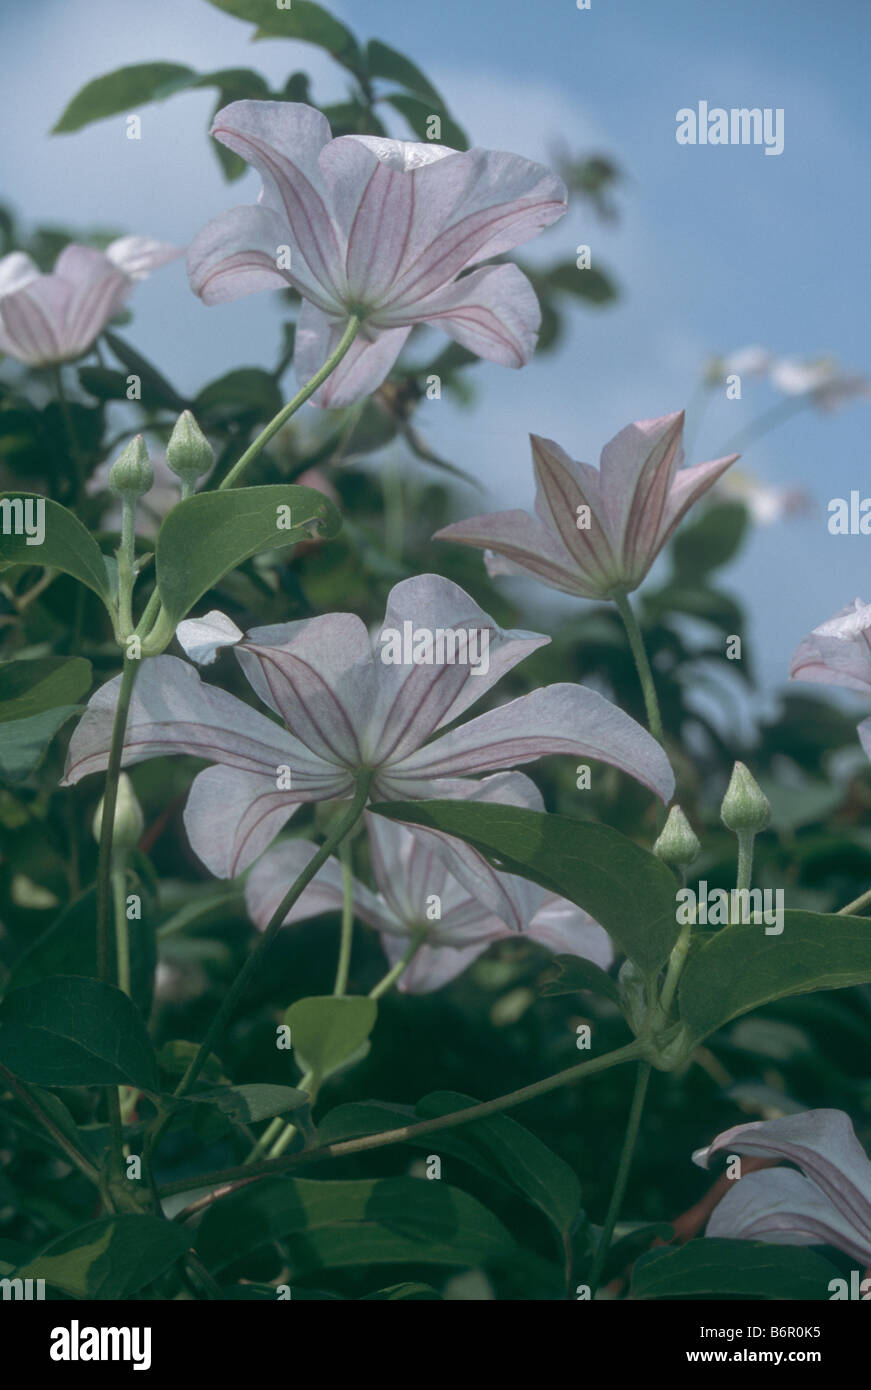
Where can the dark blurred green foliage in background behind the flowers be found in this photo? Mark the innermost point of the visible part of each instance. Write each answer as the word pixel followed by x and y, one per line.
pixel 492 1031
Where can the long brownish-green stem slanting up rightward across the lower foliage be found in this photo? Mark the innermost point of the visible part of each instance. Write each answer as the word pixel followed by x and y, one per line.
pixel 631 1053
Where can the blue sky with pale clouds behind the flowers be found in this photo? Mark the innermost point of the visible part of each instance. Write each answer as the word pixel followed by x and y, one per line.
pixel 717 247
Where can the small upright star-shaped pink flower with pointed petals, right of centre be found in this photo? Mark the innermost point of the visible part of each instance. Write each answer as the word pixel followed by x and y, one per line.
pixel 597 533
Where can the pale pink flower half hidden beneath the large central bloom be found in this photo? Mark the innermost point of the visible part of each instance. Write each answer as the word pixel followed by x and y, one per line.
pixel 412 872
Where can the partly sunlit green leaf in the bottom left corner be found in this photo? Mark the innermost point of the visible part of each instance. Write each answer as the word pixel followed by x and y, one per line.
pixel 110 1259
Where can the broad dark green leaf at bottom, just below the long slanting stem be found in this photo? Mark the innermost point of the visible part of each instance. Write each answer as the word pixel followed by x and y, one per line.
pixel 337 1225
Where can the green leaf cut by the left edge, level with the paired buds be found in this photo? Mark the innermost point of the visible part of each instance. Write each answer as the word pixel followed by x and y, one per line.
pixel 66 546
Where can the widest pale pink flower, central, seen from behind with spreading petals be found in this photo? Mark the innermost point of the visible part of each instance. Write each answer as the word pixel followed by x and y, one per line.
pixel 349 705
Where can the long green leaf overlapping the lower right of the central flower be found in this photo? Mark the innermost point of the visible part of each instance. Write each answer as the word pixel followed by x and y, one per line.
pixel 626 889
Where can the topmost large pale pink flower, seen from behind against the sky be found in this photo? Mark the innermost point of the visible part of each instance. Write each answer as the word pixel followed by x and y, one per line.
pixel 380 229
